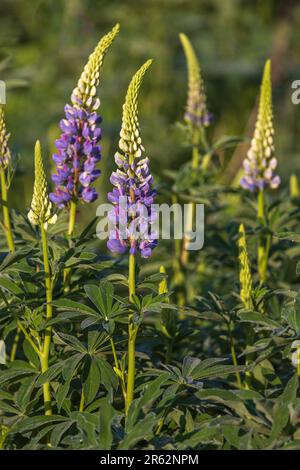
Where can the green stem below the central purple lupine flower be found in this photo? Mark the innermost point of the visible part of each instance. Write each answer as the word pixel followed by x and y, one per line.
pixel 132 332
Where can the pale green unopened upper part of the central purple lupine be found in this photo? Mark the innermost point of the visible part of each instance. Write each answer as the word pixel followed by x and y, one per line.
pixel 130 142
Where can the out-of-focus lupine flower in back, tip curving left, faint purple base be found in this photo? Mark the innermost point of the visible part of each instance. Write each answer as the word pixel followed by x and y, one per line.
pixel 196 113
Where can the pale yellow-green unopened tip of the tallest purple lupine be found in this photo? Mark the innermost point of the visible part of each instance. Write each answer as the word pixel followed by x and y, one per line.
pixel 85 91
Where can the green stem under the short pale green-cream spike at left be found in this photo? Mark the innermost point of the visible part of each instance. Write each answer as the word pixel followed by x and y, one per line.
pixel 44 356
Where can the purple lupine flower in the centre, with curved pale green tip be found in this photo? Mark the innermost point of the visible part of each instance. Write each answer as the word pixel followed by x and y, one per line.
pixel 132 181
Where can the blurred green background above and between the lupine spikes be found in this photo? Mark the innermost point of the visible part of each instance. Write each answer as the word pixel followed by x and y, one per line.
pixel 46 43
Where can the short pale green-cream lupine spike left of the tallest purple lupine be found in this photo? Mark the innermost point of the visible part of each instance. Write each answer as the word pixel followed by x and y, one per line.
pixel 40 212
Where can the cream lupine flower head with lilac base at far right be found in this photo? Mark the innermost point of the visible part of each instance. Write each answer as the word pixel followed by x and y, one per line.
pixel 260 163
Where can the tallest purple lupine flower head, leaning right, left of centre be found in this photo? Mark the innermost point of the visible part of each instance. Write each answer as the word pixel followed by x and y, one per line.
pixel 78 148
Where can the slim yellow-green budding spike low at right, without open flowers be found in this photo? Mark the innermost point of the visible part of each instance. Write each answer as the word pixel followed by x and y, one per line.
pixel 245 272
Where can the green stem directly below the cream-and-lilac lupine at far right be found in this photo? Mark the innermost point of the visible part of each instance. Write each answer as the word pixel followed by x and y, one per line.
pixel 264 241
